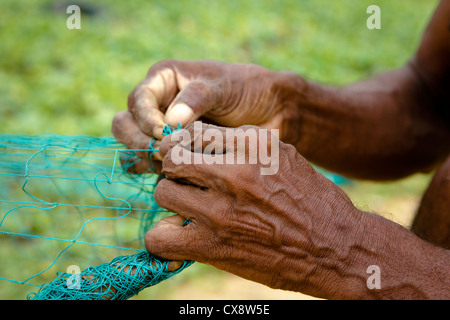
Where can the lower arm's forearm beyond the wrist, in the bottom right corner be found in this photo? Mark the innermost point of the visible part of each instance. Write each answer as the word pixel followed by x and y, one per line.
pixel 410 268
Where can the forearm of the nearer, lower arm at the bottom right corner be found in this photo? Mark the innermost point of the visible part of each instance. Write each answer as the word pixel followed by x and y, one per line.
pixel 384 260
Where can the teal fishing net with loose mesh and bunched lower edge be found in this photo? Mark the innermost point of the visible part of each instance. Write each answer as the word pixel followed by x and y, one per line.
pixel 70 210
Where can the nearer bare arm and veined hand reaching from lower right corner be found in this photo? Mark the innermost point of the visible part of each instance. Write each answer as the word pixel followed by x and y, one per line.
pixel 293 230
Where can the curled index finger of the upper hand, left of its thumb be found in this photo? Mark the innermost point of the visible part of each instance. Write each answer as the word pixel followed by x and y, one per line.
pixel 151 97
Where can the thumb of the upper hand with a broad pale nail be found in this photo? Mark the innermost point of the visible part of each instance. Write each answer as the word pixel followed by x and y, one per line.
pixel 196 98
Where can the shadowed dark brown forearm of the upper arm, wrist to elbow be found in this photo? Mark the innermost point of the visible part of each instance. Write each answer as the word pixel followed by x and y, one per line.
pixel 382 128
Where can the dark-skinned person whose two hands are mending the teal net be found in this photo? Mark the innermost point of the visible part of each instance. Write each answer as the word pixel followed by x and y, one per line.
pixel 296 230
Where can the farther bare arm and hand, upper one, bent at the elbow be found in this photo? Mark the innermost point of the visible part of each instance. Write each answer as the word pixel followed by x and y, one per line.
pixel 386 127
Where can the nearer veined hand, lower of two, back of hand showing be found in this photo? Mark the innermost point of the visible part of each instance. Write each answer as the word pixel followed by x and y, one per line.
pixel 282 230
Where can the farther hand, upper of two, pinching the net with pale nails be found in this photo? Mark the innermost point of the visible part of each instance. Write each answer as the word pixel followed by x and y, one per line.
pixel 183 91
